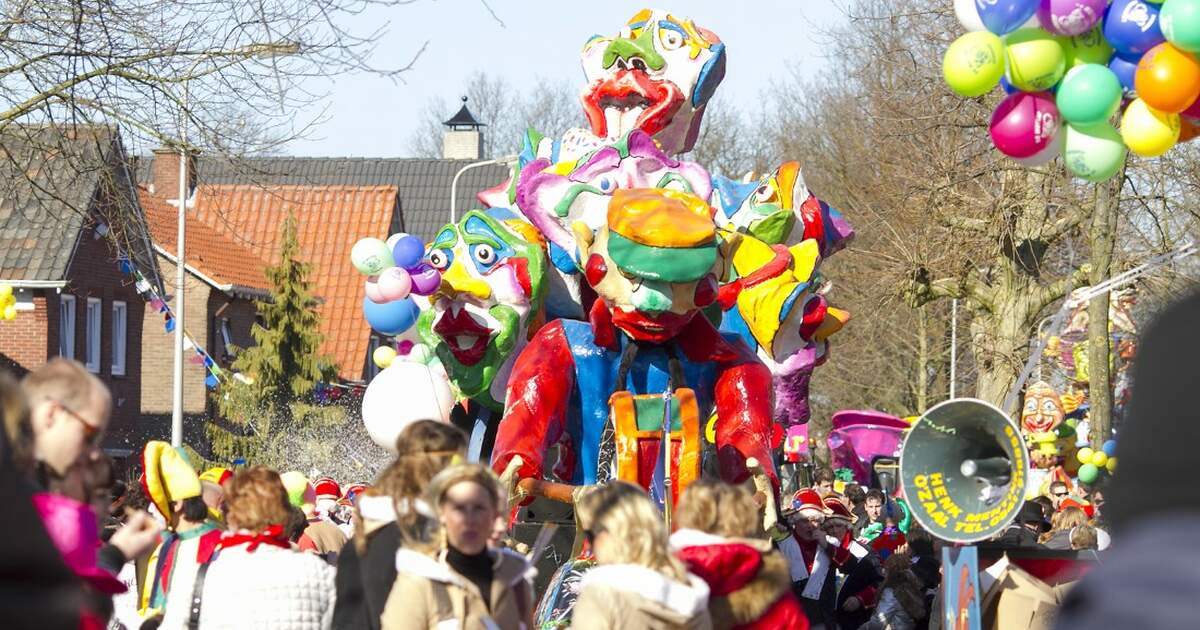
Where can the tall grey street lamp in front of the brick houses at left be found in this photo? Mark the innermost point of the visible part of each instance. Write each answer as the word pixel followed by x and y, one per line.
pixel 249 52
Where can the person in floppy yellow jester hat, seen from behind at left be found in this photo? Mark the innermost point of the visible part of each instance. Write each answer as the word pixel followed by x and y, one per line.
pixel 191 538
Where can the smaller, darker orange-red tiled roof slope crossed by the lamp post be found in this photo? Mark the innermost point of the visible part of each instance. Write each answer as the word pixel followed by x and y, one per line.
pixel 209 251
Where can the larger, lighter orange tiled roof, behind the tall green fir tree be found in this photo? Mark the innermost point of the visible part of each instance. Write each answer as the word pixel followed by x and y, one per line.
pixel 329 221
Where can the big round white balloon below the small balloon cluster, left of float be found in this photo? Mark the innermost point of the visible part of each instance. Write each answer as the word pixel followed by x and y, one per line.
pixel 404 394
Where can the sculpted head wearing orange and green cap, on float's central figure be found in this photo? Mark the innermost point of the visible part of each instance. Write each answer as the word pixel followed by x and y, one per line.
pixel 656 263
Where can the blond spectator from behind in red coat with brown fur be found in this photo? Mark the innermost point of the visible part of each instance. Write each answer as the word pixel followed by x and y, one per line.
pixel 721 539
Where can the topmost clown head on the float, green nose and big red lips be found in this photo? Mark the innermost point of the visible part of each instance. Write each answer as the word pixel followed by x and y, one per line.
pixel 657 76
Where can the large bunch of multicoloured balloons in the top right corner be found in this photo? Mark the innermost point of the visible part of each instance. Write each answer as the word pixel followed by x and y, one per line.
pixel 1069 67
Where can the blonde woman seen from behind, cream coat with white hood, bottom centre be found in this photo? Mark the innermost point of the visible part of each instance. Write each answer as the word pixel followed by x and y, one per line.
pixel 638 583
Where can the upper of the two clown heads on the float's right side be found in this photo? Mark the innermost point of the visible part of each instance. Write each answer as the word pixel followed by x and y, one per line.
pixel 779 209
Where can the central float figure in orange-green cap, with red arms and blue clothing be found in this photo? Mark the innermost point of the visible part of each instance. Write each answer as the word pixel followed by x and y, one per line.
pixel 653 266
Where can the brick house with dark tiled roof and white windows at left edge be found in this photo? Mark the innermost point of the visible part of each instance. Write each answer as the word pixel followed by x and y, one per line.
pixel 69 218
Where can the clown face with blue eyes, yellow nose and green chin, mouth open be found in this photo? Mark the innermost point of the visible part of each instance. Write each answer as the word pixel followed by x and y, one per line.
pixel 493 271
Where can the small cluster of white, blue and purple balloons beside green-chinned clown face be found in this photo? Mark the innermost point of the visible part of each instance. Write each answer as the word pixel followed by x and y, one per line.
pixel 395 271
